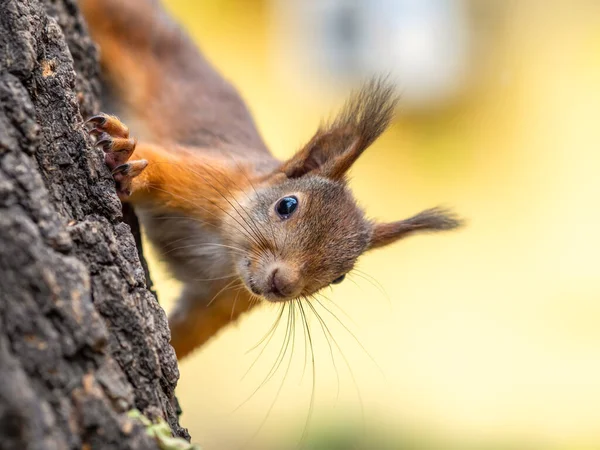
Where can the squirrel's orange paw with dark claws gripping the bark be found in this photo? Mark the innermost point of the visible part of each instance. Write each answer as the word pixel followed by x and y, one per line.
pixel 113 137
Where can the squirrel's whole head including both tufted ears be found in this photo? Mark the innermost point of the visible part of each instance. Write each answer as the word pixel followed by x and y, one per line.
pixel 304 230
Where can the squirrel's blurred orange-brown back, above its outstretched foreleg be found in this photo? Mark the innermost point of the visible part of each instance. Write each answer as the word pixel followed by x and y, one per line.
pixel 159 80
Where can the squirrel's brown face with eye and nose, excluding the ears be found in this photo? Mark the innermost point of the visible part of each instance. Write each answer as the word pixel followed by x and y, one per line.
pixel 311 233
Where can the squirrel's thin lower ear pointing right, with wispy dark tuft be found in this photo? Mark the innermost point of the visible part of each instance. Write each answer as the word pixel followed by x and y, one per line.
pixel 430 220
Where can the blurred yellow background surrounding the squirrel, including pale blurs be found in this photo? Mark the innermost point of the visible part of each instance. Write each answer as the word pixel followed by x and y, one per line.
pixel 487 337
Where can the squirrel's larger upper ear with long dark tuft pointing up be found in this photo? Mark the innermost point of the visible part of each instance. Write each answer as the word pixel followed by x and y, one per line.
pixel 335 147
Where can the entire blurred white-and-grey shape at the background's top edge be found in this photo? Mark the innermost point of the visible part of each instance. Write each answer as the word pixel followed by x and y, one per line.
pixel 423 44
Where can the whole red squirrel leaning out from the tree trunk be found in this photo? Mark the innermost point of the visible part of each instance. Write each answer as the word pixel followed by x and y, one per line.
pixel 235 225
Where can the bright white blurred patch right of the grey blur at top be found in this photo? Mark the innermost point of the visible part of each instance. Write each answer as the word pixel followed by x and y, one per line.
pixel 424 43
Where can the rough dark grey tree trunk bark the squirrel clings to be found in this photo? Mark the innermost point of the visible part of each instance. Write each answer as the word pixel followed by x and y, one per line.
pixel 82 339
